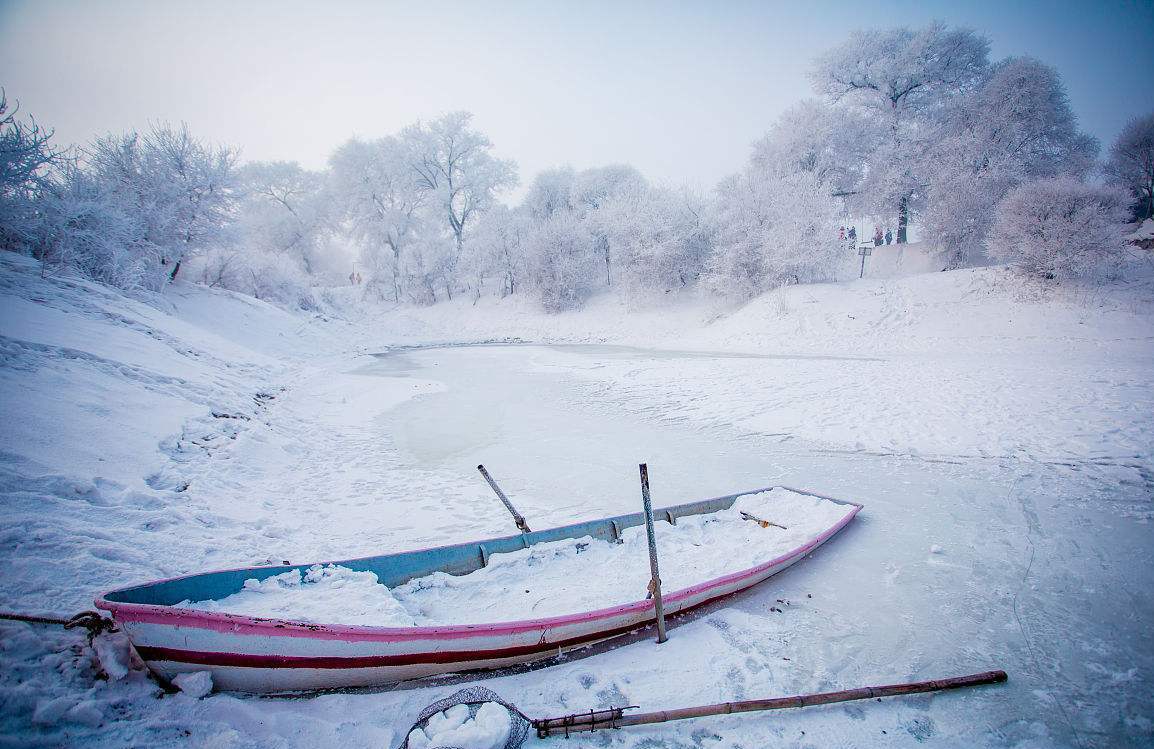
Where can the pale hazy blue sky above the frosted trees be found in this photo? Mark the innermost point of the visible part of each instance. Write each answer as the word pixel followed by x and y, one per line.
pixel 678 89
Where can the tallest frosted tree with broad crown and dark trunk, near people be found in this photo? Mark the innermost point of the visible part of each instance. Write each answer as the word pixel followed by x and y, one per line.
pixel 902 78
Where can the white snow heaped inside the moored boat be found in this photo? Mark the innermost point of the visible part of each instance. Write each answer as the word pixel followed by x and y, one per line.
pixel 548 580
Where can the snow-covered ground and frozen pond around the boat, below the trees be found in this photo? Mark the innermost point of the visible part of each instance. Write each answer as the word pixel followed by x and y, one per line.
pixel 999 435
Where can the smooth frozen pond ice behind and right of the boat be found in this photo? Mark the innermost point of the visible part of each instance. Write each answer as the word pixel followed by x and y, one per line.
pixel 955 566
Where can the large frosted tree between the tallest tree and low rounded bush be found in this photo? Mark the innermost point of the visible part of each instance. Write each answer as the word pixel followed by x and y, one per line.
pixel 1017 126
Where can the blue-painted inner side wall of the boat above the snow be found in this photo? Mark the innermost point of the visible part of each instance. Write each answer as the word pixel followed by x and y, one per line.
pixel 400 568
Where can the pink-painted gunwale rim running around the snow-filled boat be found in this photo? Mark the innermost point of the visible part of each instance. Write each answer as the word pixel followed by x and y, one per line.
pixel 245 625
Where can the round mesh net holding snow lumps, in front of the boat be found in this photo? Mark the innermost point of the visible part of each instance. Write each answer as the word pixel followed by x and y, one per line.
pixel 440 720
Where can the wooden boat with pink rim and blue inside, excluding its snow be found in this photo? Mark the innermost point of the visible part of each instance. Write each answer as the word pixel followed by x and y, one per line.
pixel 254 655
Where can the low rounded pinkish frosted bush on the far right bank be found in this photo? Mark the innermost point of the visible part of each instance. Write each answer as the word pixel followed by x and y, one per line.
pixel 1060 229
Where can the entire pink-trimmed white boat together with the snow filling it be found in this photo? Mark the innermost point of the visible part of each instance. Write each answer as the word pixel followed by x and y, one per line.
pixel 463 608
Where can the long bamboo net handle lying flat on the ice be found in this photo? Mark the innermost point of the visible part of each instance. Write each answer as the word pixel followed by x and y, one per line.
pixel 615 718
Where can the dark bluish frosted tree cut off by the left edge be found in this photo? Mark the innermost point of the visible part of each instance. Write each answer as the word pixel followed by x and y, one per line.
pixel 27 159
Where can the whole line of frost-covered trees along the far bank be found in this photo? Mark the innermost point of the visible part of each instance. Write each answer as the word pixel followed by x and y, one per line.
pixel 912 128
